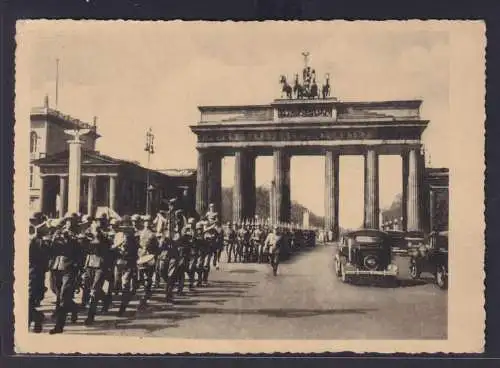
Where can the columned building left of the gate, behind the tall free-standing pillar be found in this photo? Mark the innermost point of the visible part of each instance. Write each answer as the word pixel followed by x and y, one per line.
pixel 106 184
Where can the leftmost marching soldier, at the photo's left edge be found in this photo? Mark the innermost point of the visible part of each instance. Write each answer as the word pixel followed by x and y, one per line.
pixel 38 264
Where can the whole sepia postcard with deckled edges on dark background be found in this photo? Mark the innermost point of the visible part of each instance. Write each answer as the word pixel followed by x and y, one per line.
pixel 225 187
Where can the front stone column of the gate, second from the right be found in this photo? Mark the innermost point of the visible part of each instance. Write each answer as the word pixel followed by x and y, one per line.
pixel 371 190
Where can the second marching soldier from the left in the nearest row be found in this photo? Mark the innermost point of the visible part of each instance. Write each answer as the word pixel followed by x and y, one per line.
pixel 64 267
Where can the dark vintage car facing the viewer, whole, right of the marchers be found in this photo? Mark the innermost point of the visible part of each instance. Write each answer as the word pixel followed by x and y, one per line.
pixel 365 252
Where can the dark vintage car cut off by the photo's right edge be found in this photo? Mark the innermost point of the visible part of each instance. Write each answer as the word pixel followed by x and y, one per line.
pixel 432 257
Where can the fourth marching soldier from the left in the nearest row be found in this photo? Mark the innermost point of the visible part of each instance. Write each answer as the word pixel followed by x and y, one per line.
pixel 125 248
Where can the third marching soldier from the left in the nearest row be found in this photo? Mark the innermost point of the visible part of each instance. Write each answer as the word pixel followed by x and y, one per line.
pixel 96 267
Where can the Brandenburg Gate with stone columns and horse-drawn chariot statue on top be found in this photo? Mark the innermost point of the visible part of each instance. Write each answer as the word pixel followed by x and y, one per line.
pixel 304 123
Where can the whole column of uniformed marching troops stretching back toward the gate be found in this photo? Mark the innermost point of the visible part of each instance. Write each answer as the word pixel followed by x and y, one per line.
pixel 81 254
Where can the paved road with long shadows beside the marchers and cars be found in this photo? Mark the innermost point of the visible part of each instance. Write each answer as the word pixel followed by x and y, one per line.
pixel 305 301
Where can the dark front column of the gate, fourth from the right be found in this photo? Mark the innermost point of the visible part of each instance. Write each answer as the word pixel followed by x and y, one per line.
pixel 282 188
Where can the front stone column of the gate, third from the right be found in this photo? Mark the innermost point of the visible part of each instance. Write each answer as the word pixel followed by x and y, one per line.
pixel 332 191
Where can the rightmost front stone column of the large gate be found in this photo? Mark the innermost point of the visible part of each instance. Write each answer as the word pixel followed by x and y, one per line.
pixel 413 210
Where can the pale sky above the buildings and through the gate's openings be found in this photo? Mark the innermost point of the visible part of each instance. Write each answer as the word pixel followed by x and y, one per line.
pixel 136 75
